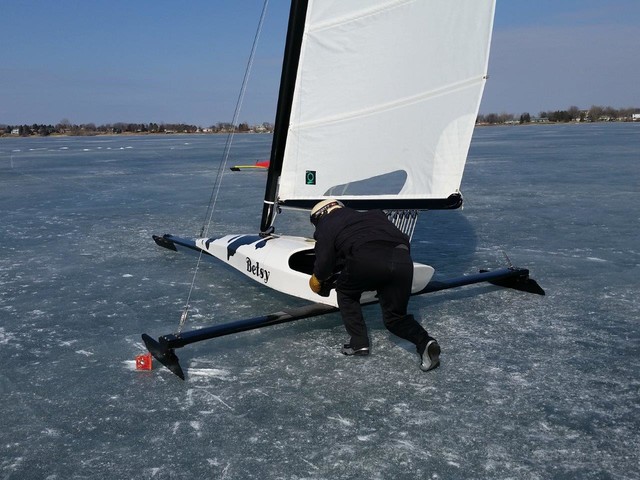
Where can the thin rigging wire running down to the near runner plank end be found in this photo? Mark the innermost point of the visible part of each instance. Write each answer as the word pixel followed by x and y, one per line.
pixel 223 164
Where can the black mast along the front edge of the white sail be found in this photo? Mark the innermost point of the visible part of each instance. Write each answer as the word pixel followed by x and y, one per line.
pixel 295 30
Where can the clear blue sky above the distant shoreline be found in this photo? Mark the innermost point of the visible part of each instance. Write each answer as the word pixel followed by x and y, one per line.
pixel 167 61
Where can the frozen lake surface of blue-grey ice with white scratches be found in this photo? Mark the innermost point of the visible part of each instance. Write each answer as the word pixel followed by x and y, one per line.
pixel 529 387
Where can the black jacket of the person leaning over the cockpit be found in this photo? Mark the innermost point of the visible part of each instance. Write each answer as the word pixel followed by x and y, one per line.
pixel 341 232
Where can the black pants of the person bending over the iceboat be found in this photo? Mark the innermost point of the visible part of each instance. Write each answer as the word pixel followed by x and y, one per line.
pixel 389 272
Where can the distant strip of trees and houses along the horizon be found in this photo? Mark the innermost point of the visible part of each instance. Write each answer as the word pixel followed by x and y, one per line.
pixel 64 127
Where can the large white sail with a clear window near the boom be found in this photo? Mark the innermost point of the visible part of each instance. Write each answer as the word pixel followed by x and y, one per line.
pixel 386 97
